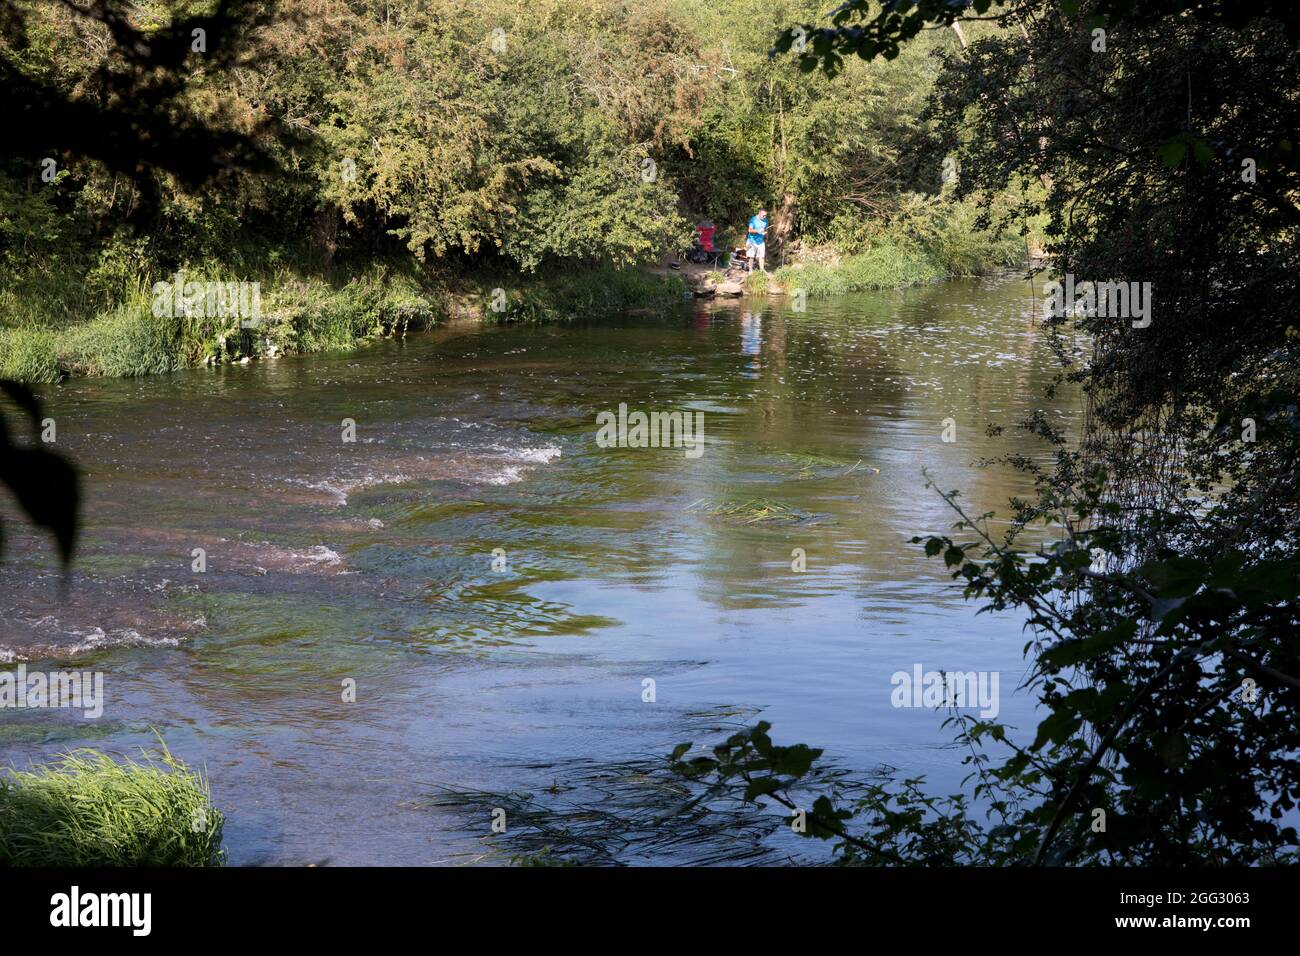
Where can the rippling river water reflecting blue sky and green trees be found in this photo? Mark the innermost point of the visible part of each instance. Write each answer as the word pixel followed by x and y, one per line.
pixel 374 561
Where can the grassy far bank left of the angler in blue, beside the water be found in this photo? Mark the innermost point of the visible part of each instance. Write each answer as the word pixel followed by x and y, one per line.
pixel 47 335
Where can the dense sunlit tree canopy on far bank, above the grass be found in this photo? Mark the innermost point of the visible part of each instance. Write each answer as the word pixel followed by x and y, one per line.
pixel 466 135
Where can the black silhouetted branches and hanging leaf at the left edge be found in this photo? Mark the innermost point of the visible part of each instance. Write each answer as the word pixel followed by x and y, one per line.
pixel 135 120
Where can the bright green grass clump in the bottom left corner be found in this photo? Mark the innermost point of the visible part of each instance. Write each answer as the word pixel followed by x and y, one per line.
pixel 88 810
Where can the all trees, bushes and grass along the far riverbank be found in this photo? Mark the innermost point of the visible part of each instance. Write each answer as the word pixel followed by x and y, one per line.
pixel 440 146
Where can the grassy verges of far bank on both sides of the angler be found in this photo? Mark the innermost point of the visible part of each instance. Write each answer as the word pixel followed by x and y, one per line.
pixel 103 319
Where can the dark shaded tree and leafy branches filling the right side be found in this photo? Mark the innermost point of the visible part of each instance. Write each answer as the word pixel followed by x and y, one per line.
pixel 1163 608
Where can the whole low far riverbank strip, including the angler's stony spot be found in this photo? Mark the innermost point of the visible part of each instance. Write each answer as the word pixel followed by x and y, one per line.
pixel 54 334
